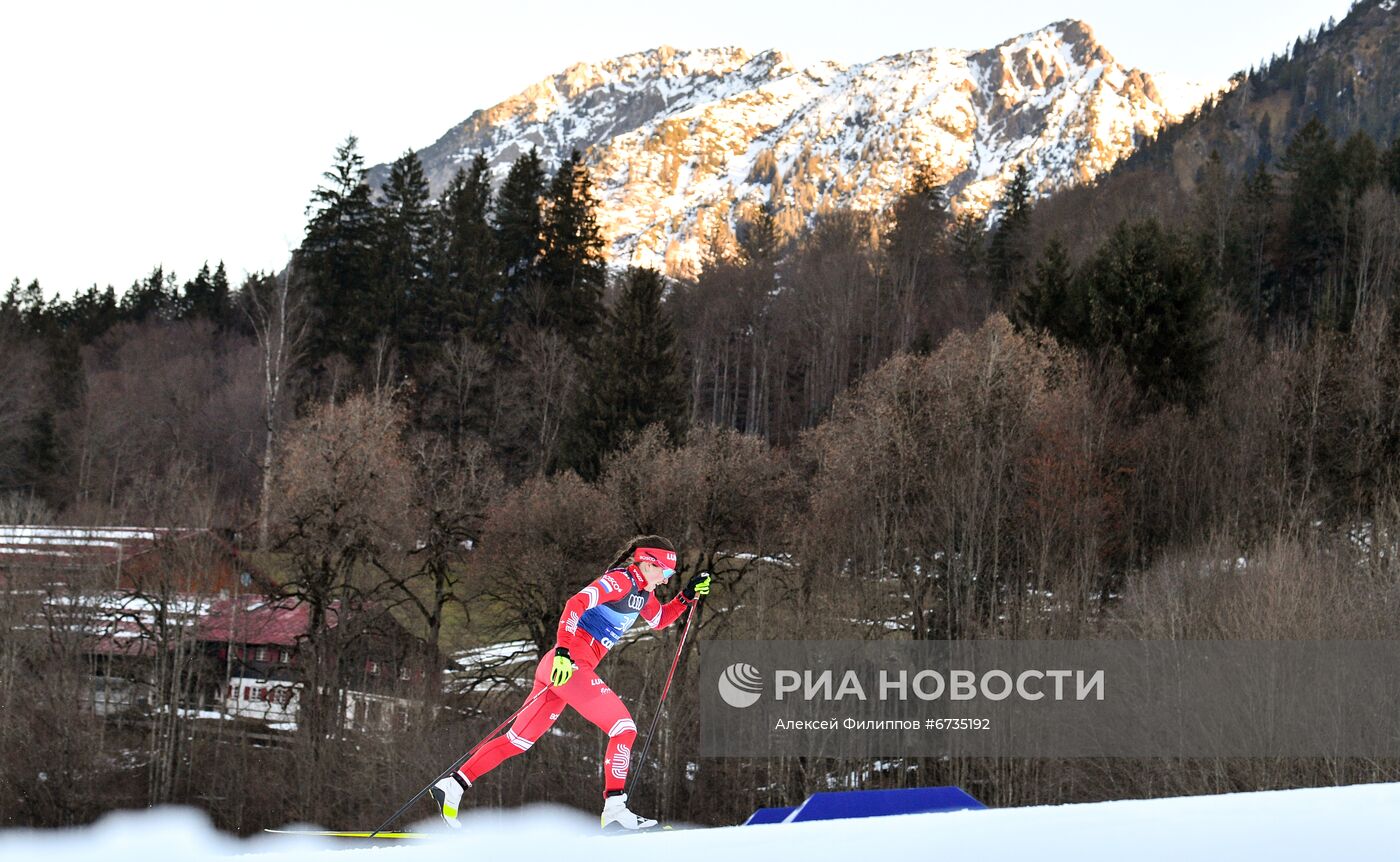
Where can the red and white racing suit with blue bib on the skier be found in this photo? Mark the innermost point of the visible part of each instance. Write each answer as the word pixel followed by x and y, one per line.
pixel 593 622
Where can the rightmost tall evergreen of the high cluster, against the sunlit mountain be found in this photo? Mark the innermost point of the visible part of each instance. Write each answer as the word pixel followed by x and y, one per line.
pixel 573 268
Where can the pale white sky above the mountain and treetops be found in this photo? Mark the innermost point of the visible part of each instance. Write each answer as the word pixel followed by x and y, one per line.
pixel 142 134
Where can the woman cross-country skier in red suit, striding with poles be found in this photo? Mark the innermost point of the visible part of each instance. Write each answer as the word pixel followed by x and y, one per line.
pixel 591 625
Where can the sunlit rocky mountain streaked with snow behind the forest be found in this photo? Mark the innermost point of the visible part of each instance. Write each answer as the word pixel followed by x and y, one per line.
pixel 685 143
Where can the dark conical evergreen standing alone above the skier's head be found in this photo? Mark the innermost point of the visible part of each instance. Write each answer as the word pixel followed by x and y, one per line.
pixel 633 379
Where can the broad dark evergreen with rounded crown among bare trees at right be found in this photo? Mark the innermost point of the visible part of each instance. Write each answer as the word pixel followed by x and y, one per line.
pixel 1149 304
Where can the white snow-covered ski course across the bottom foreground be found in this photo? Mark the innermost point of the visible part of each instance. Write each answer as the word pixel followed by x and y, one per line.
pixel 1360 822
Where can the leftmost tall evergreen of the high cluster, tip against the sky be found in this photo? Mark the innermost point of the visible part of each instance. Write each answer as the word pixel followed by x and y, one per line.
pixel 338 261
